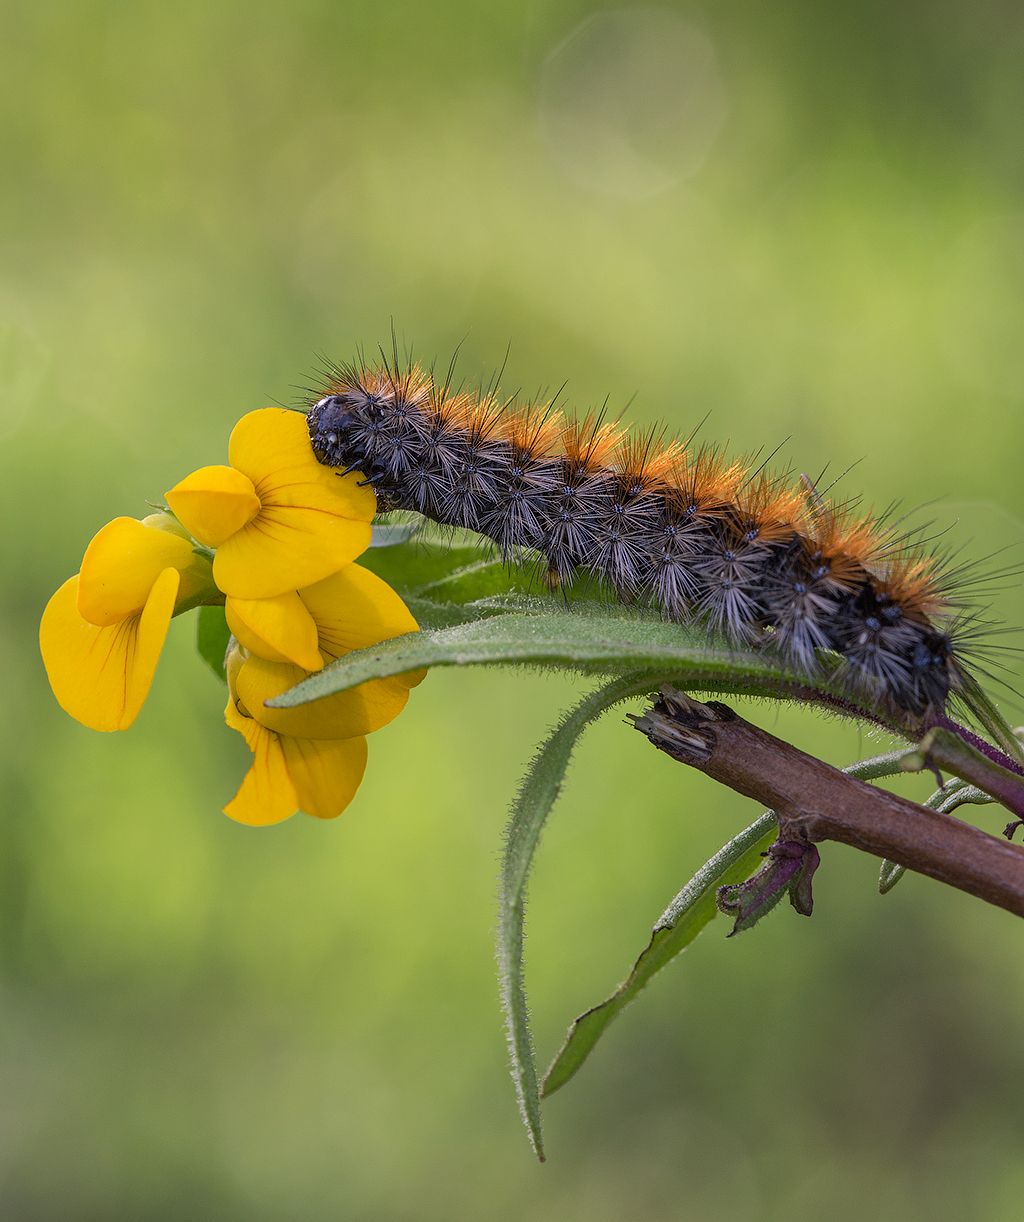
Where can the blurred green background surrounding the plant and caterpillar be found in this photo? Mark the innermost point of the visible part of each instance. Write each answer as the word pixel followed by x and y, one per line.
pixel 805 219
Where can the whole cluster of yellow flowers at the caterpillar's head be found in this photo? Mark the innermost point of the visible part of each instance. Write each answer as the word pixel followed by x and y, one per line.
pixel 272 538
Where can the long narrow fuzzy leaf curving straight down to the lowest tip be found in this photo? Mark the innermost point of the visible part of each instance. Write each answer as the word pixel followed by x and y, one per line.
pixel 530 812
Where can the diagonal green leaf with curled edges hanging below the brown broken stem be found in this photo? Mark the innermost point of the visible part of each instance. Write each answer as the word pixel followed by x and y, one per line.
pixel 686 917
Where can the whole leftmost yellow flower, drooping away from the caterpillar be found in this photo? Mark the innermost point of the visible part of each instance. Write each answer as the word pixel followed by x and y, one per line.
pixel 103 631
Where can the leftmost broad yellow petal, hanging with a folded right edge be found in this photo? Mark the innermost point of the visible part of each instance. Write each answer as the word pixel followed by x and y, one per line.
pixel 102 675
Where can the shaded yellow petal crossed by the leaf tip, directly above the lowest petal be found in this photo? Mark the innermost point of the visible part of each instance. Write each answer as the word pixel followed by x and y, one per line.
pixel 360 711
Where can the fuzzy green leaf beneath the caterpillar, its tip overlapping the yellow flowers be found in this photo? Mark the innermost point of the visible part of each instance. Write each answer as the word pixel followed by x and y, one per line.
pixel 593 638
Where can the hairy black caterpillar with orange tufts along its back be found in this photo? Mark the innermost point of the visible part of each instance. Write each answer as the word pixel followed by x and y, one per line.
pixel 748 554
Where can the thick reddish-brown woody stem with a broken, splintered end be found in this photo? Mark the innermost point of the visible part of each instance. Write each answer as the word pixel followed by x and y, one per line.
pixel 817 802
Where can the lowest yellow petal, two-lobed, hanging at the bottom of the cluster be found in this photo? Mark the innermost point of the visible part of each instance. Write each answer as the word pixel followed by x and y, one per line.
pixel 289 774
